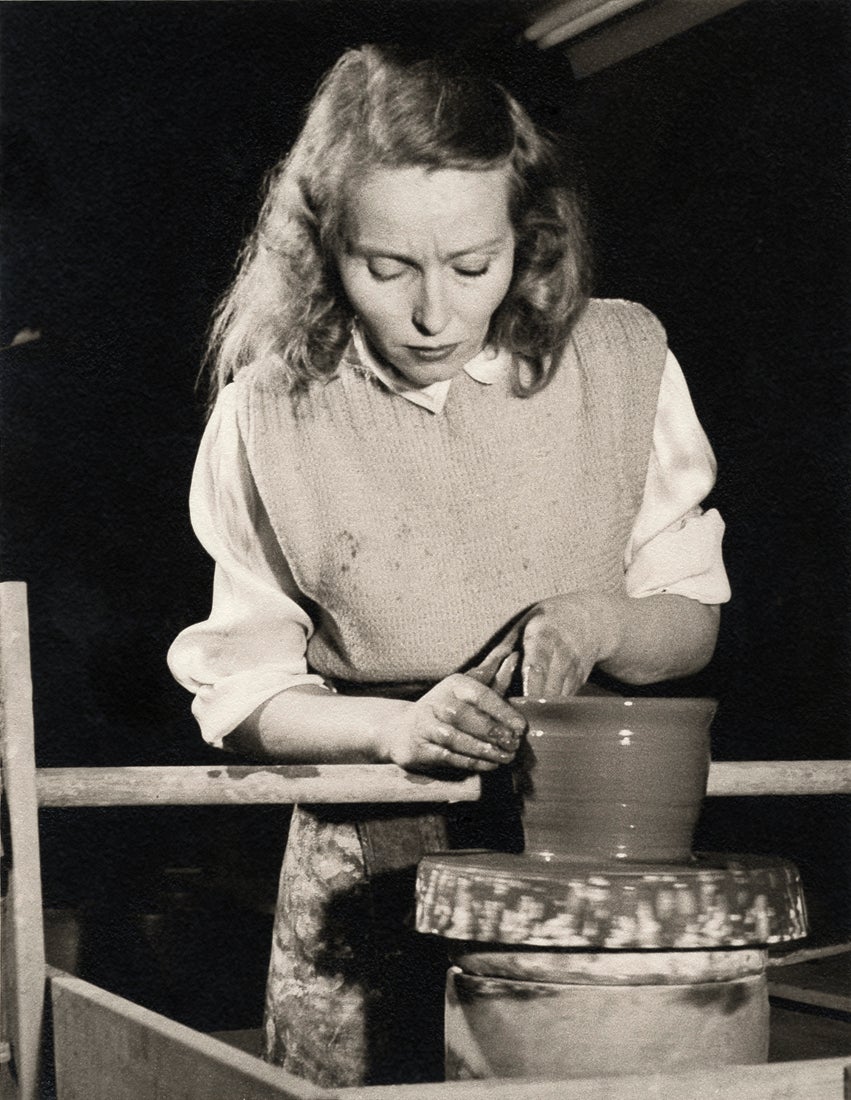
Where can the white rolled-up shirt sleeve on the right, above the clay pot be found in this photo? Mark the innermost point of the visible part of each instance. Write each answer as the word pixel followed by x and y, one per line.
pixel 676 547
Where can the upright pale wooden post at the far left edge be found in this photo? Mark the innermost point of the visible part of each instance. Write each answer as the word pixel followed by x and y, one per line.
pixel 23 939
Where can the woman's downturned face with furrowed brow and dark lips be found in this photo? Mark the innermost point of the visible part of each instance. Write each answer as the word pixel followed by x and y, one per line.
pixel 426 260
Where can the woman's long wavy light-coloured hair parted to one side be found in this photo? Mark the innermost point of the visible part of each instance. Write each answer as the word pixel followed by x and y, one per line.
pixel 375 111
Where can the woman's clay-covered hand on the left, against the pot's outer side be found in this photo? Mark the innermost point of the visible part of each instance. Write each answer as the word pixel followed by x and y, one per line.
pixel 462 724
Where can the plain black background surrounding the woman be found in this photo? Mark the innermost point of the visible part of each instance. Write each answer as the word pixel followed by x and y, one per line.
pixel 135 140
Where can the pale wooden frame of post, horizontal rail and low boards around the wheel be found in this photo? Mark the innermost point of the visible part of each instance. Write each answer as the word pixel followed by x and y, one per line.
pixel 105 1048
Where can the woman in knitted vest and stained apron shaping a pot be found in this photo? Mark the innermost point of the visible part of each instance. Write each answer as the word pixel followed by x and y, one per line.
pixel 438 461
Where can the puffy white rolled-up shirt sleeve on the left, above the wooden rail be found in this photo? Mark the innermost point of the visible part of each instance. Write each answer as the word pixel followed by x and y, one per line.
pixel 253 645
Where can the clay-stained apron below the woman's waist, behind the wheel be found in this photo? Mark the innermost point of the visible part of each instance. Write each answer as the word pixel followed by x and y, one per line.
pixel 355 995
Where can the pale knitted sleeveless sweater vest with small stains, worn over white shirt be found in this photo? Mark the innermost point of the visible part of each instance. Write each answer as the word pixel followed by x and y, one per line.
pixel 416 537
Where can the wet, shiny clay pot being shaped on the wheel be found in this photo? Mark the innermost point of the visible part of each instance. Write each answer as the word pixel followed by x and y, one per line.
pixel 605 778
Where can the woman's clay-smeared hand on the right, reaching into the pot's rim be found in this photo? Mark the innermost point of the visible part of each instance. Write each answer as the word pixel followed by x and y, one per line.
pixel 561 640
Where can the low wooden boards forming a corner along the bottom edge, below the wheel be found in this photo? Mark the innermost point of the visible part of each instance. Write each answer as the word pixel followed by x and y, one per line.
pixel 108 1049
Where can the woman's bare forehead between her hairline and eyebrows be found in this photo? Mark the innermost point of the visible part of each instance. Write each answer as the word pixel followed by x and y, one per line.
pixel 395 207
